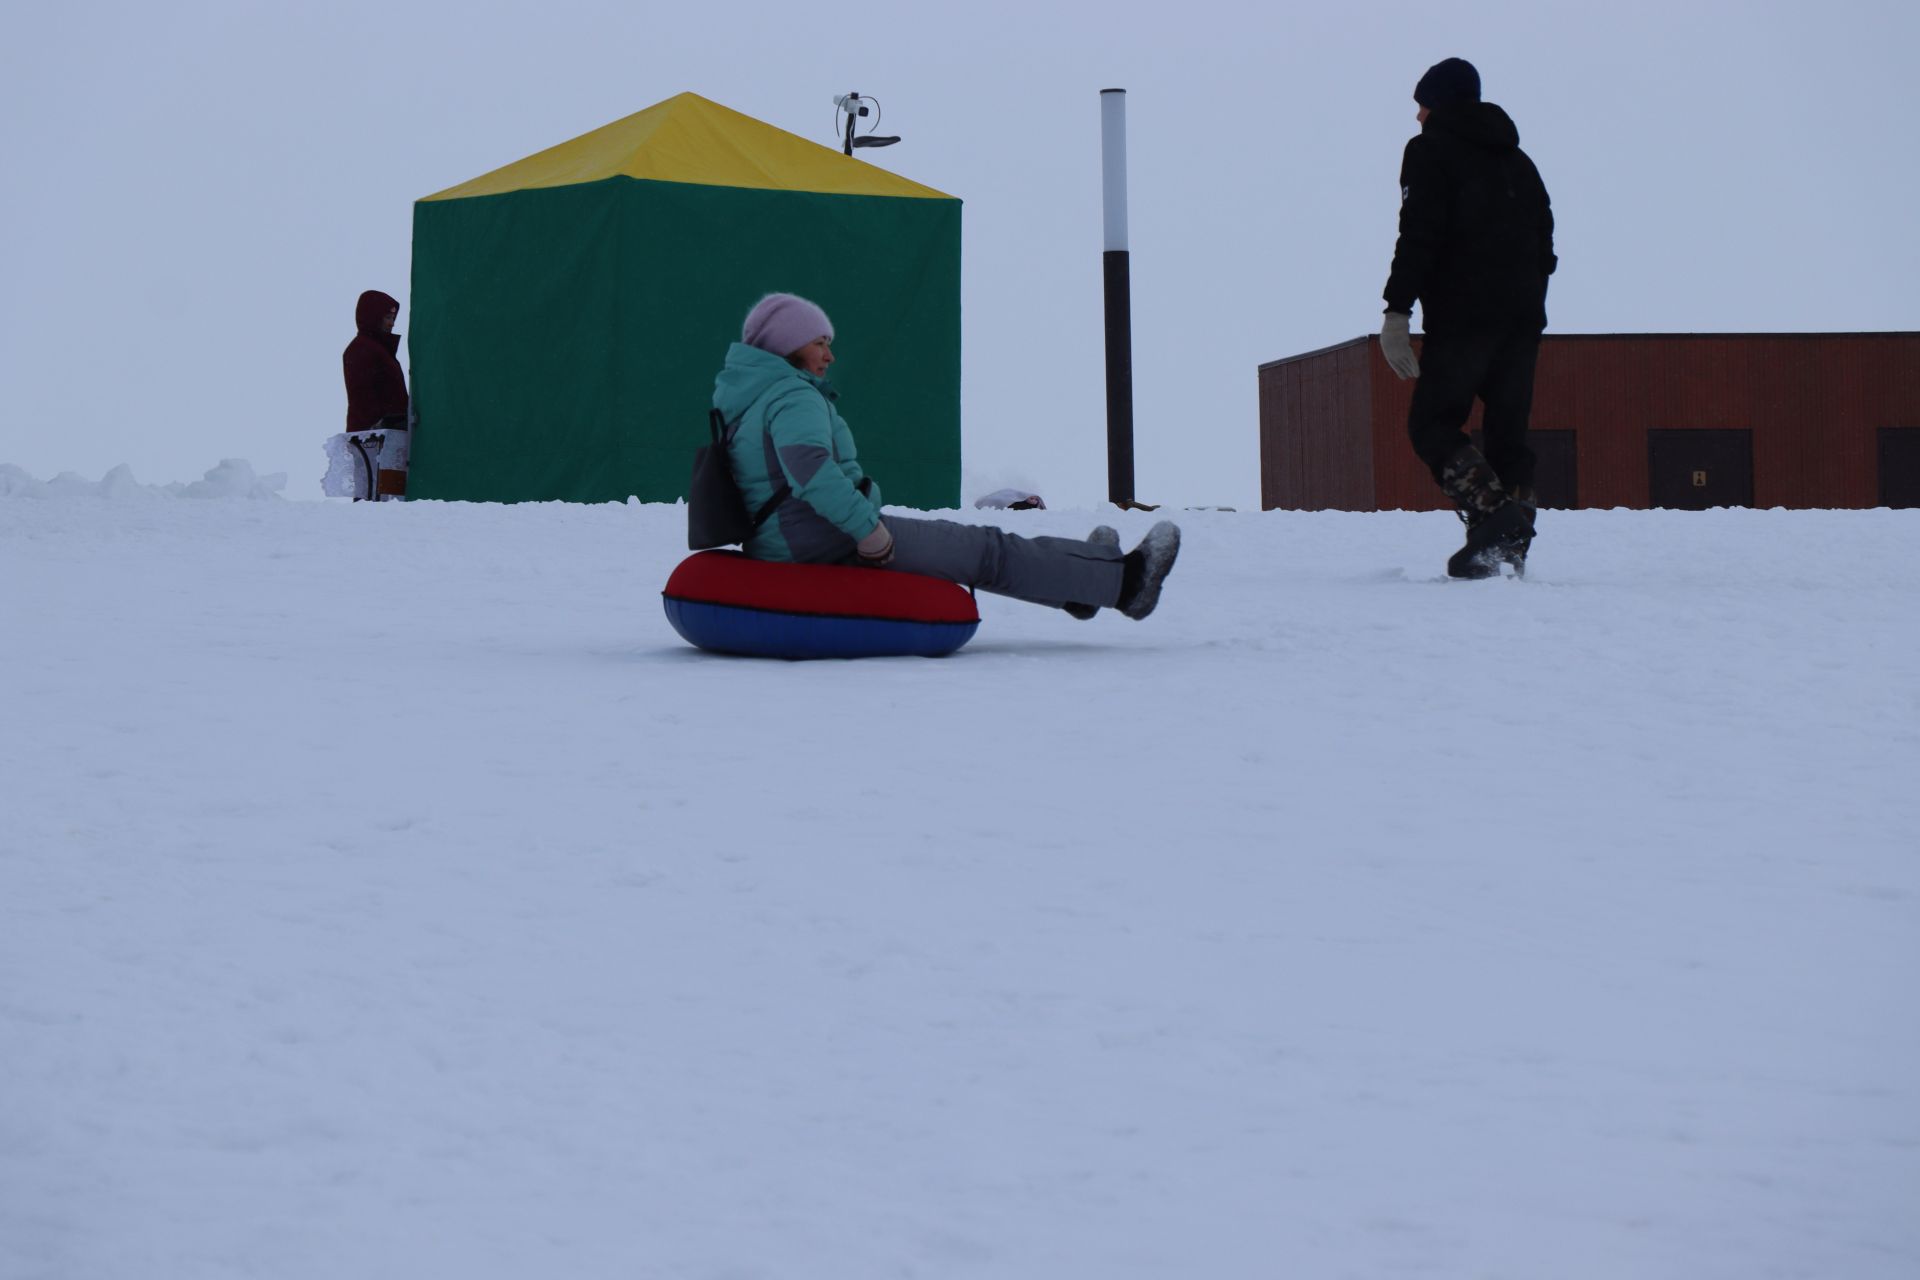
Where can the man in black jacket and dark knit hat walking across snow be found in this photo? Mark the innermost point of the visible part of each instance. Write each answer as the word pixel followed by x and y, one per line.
pixel 1476 249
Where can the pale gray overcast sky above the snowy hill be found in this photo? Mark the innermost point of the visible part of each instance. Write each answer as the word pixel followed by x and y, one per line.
pixel 201 191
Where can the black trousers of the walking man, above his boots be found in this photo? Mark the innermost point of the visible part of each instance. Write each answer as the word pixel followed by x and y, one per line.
pixel 1495 367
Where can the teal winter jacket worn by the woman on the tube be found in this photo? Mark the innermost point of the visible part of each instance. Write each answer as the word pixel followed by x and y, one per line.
pixel 792 435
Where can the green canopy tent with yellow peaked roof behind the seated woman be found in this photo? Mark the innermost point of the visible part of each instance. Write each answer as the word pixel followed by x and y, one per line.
pixel 571 310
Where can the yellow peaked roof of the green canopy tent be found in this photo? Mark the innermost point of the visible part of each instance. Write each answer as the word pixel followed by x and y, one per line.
pixel 690 139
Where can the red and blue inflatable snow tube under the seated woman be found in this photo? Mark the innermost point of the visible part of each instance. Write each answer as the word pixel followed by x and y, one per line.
pixel 727 604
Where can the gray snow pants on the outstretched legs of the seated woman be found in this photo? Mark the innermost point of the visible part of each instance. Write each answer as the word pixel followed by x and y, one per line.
pixel 1047 571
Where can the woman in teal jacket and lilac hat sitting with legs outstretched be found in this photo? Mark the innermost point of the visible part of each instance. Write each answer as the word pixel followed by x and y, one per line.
pixel 790 435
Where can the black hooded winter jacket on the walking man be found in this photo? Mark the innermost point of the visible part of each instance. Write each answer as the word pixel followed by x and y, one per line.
pixel 1476 225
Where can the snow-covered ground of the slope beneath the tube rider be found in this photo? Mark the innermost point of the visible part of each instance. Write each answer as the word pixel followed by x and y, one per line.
pixel 387 891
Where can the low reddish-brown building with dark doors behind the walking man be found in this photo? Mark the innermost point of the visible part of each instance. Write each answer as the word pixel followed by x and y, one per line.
pixel 1683 421
